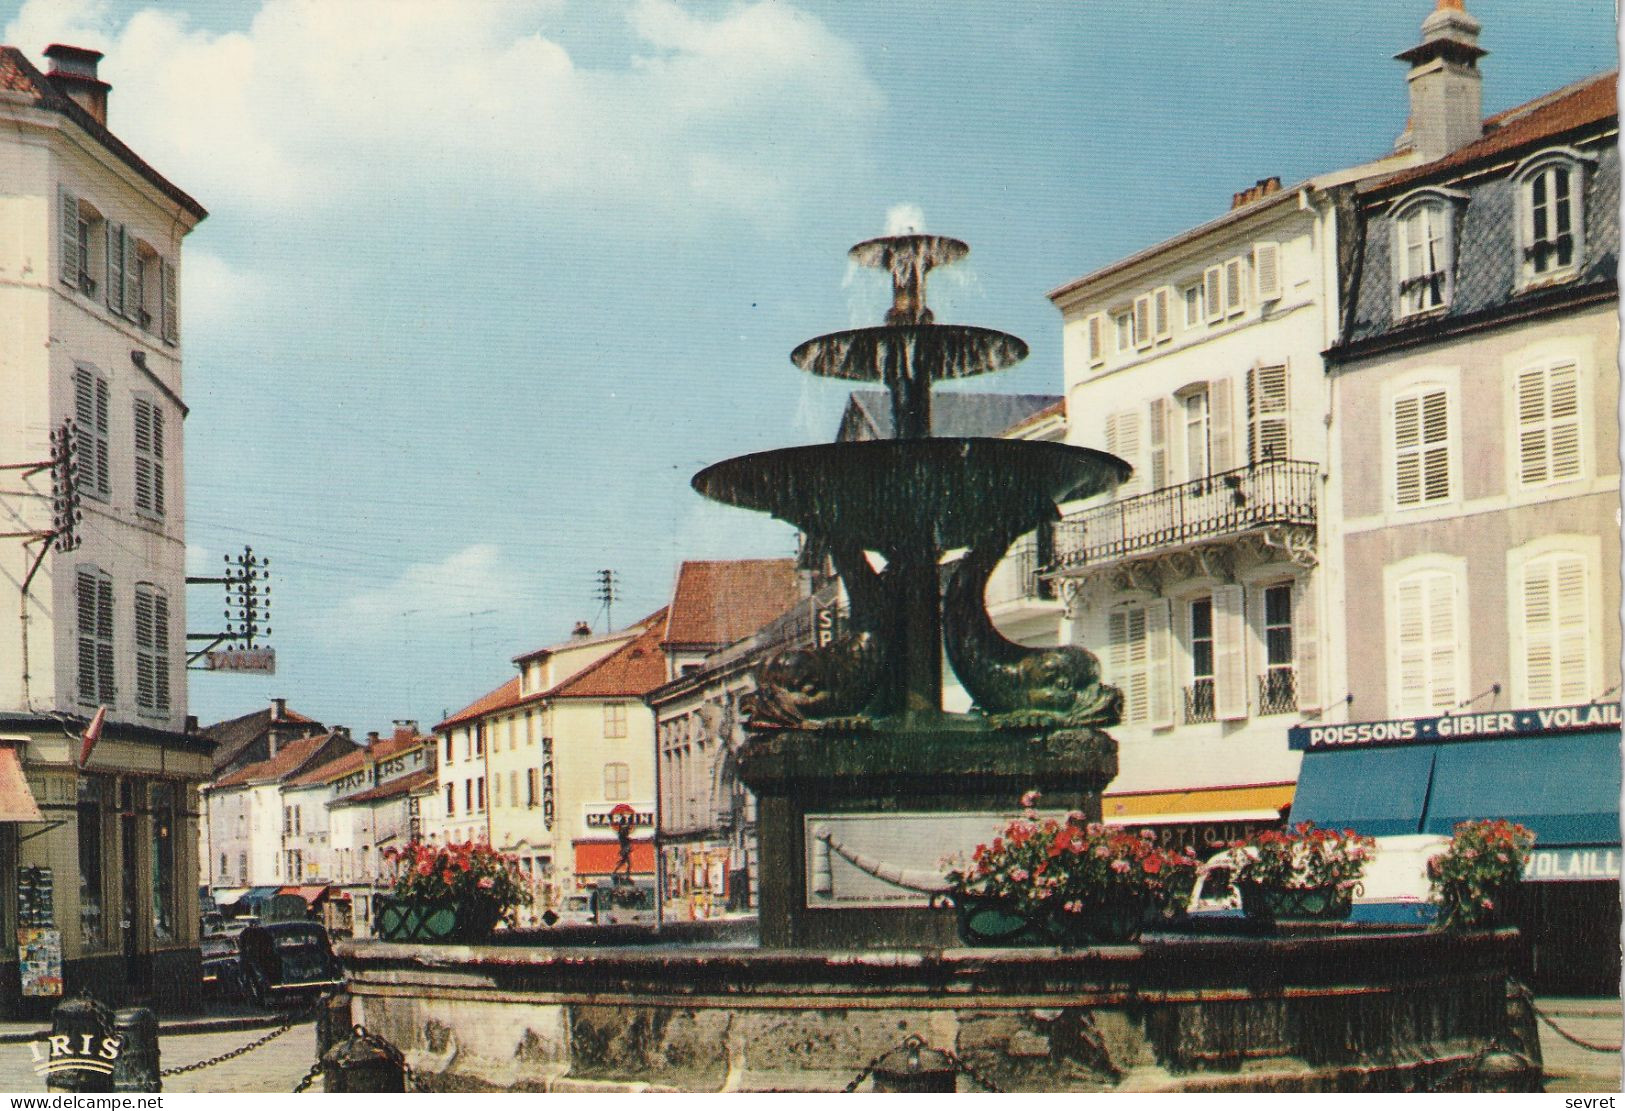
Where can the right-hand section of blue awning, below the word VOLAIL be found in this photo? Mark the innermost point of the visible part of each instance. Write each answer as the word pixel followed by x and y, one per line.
pixel 1566 789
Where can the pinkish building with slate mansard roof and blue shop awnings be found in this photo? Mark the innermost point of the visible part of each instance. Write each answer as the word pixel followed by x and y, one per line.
pixel 1476 508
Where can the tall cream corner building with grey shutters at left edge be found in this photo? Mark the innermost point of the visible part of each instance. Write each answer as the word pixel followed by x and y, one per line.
pixel 92 335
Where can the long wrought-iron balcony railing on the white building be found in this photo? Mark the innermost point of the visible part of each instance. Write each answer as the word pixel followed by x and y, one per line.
pixel 1249 498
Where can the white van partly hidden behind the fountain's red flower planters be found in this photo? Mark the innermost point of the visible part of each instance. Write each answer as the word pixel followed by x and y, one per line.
pixel 1393 889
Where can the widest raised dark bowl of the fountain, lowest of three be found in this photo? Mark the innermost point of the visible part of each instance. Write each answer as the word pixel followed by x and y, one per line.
pixel 906 495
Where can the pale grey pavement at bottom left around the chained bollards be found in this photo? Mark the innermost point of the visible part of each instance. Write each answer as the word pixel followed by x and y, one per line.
pixel 272 1068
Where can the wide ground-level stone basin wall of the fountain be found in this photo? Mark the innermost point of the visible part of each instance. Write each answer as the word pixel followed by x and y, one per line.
pixel 1327 1013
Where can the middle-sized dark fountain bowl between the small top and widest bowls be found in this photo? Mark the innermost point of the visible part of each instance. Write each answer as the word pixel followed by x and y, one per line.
pixel 935 352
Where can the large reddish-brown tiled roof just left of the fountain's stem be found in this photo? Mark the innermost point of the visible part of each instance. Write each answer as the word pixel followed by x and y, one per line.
pixel 726 600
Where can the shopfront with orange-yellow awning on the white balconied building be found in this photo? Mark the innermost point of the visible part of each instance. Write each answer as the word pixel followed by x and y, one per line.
pixel 1200 821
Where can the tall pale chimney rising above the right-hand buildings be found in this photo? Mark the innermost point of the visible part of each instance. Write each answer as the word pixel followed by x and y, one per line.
pixel 1447 90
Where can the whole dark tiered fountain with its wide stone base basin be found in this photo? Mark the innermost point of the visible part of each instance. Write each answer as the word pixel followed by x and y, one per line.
pixel 865 784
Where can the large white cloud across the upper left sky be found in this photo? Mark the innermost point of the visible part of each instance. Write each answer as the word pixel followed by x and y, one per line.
pixel 321 103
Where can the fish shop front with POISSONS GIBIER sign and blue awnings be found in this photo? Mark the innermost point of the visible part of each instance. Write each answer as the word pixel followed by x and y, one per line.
pixel 1556 771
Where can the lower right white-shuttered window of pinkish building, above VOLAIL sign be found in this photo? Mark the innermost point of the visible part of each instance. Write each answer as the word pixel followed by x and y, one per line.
pixel 1556 631
